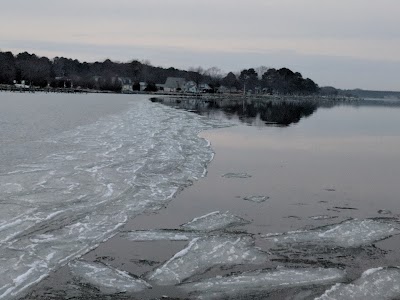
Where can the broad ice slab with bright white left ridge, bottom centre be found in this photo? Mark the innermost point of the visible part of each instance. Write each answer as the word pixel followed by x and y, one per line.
pixel 204 253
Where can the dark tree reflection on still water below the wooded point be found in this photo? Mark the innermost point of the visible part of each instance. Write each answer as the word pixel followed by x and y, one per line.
pixel 265 112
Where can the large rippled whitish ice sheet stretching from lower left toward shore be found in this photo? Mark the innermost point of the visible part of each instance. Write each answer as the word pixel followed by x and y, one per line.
pixel 66 202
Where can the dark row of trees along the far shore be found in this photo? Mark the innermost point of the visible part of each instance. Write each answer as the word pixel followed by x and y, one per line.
pixel 66 72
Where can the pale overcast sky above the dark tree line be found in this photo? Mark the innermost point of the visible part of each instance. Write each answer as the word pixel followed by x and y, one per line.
pixel 344 43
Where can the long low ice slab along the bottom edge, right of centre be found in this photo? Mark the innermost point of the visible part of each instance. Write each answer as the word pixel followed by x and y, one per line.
pixel 261 281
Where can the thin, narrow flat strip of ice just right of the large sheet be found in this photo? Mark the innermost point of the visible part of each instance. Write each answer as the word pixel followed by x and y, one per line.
pixel 160 235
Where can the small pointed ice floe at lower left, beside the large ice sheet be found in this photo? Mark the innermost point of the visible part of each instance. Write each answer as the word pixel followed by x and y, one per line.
pixel 109 280
